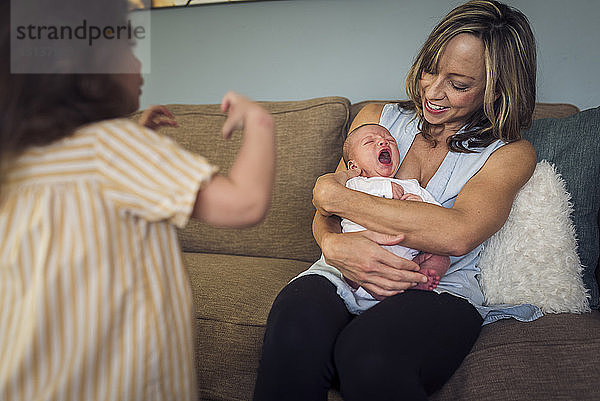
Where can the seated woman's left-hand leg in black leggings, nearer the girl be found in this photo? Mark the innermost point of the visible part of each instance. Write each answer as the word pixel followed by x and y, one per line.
pixel 297 357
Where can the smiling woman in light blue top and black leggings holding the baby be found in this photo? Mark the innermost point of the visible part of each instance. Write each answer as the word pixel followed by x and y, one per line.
pixel 471 89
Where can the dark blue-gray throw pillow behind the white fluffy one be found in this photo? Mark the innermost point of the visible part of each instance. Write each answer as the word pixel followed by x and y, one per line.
pixel 573 145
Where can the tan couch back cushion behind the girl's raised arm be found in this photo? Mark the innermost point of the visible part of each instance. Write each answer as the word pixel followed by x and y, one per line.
pixel 309 135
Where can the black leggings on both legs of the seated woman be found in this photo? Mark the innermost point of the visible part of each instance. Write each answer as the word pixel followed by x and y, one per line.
pixel 404 348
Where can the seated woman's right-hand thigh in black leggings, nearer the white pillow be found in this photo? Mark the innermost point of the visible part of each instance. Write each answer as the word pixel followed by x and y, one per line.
pixel 406 346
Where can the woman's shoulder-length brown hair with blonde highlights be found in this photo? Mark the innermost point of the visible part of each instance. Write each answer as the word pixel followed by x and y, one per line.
pixel 510 69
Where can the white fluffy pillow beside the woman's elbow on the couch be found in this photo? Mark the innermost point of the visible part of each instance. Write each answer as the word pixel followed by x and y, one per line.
pixel 533 258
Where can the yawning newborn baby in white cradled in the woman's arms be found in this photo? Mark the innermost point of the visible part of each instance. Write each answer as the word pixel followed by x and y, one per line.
pixel 373 150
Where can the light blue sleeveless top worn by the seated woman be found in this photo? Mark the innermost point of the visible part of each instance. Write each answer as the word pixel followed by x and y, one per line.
pixel 454 172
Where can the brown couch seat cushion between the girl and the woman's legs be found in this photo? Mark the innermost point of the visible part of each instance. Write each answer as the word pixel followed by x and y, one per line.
pixel 232 298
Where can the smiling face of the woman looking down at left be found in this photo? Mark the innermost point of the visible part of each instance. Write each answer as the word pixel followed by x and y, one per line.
pixel 456 91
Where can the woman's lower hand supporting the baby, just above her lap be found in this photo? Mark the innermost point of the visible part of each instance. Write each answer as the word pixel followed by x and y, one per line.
pixel 360 258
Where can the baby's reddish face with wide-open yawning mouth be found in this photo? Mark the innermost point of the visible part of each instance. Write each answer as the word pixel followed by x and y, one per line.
pixel 373 149
